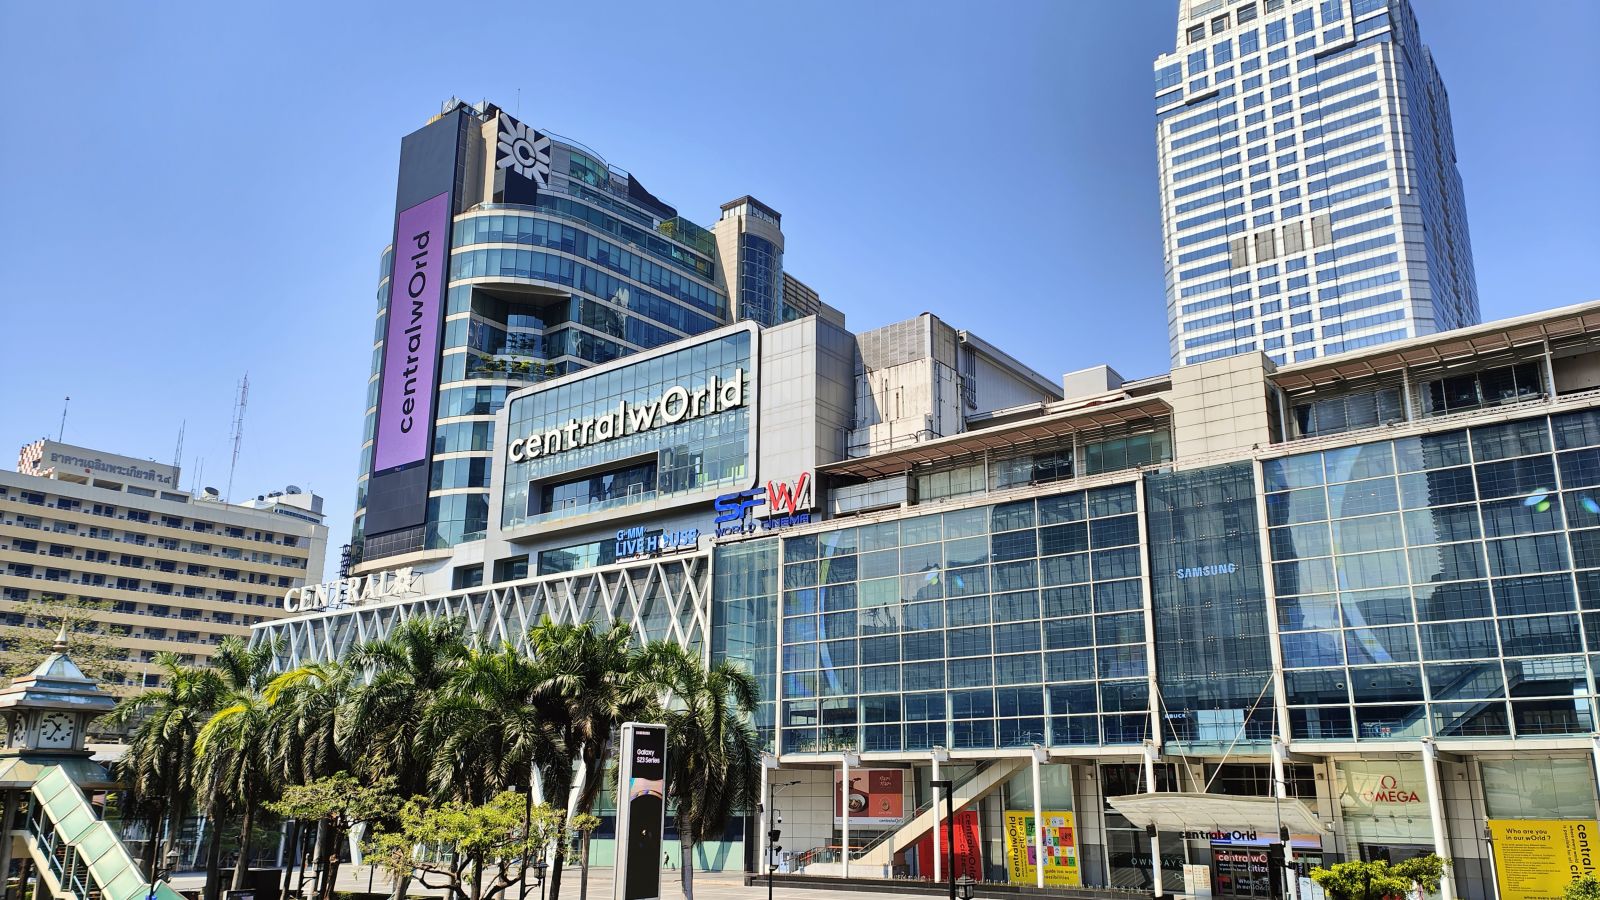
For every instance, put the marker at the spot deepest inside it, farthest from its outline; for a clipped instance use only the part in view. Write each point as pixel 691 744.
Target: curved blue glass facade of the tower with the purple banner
pixel 583 275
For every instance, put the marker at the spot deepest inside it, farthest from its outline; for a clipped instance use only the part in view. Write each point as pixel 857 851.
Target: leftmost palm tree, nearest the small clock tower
pixel 159 768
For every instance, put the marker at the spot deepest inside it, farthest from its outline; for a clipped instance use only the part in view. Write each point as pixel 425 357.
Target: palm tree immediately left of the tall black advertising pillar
pixel 593 683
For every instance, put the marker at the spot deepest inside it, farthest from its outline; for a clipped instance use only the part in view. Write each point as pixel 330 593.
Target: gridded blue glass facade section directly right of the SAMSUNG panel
pixel 1439 585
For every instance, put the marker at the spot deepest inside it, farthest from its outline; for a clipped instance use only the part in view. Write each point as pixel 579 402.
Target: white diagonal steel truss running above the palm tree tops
pixel 663 600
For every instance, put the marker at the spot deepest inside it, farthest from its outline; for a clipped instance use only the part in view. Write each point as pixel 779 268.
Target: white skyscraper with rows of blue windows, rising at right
pixel 1310 191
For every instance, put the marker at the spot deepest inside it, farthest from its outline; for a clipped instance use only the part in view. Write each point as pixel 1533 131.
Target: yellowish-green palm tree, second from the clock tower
pixel 233 750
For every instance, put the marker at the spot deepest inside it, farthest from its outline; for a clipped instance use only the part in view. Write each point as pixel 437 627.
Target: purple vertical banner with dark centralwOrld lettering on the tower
pixel 417 297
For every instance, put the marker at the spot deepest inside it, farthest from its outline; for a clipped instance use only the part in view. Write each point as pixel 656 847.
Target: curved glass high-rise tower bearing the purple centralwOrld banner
pixel 519 257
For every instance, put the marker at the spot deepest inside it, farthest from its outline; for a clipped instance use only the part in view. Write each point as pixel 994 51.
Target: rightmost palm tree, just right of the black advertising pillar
pixel 713 749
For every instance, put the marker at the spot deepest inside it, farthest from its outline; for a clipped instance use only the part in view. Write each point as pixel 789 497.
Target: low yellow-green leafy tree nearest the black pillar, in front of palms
pixel 452 845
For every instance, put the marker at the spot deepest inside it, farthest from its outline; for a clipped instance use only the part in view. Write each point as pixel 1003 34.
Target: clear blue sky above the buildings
pixel 190 193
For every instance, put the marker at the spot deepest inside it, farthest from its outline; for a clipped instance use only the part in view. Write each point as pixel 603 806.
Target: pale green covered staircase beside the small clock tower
pixel 76 853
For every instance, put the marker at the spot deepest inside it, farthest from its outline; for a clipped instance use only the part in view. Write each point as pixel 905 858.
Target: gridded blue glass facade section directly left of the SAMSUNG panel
pixel 990 627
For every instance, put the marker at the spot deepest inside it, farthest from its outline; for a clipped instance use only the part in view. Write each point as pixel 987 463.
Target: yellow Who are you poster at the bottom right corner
pixel 1535 859
